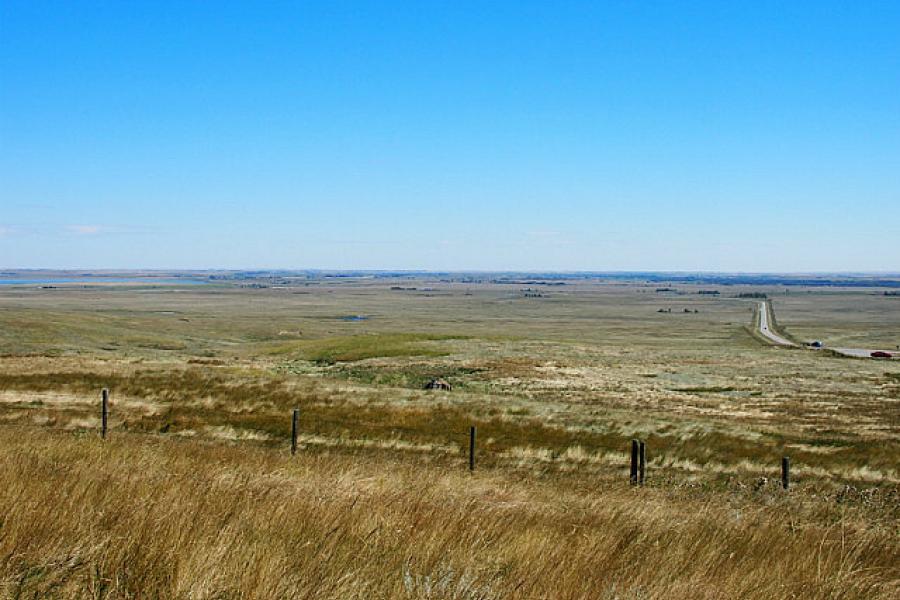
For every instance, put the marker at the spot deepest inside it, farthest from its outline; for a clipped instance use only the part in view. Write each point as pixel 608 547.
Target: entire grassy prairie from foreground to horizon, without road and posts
pixel 196 495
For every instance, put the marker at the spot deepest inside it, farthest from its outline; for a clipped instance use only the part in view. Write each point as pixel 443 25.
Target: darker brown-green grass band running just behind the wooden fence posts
pixel 241 404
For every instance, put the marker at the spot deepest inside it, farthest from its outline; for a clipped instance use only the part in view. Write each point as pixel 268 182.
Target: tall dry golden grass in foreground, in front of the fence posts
pixel 144 516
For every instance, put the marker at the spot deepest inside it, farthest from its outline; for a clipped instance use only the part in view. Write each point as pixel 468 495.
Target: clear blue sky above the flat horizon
pixel 751 136
